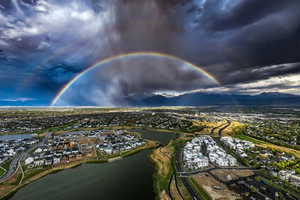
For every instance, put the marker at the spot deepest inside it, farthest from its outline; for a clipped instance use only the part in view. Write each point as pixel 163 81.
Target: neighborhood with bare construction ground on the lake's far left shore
pixel 74 146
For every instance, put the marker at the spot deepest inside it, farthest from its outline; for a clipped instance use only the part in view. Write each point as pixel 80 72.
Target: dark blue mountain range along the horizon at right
pixel 200 99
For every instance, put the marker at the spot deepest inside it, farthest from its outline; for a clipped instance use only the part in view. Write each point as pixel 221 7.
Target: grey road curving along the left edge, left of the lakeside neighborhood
pixel 15 163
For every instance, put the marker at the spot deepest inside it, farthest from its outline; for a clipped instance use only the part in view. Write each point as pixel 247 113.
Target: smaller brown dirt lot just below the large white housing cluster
pixel 228 175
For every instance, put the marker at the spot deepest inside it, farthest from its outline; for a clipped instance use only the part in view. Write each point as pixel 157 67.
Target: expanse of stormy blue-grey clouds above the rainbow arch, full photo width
pixel 232 39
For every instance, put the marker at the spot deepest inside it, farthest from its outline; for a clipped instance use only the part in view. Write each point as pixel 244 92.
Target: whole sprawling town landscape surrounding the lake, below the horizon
pixel 221 152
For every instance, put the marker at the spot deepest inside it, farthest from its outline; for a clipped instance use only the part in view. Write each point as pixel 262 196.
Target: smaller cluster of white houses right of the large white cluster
pixel 239 146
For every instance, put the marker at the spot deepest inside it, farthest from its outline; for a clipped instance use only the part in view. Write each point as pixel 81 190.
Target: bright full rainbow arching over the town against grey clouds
pixel 120 56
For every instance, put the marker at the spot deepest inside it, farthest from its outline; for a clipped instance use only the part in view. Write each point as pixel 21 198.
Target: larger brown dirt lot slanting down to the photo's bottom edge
pixel 215 189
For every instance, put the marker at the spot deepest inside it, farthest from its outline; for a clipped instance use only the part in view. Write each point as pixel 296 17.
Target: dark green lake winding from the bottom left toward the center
pixel 129 178
